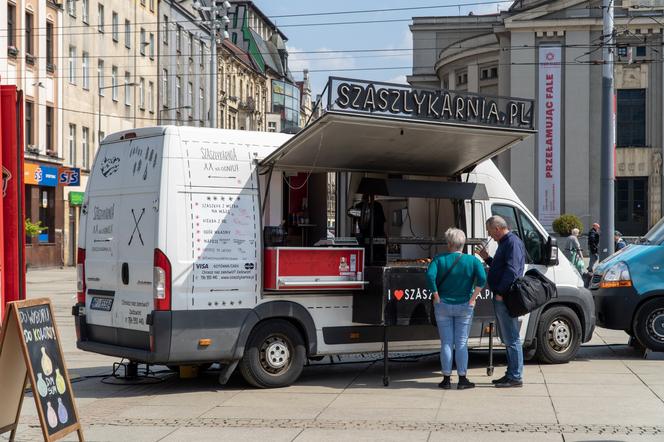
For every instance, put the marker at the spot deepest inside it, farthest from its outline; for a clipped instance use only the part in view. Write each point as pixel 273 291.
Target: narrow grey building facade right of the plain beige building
pixel 184 75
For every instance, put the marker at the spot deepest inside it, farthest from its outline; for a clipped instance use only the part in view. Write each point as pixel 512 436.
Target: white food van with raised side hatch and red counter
pixel 173 268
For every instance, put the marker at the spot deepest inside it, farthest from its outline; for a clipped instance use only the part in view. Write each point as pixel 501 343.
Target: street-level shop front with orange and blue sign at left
pixel 43 207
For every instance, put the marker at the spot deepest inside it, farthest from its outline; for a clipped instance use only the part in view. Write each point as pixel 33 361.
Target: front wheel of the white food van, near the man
pixel 558 335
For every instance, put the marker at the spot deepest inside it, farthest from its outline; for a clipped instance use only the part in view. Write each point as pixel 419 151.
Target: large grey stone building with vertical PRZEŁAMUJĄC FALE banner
pixel 550 51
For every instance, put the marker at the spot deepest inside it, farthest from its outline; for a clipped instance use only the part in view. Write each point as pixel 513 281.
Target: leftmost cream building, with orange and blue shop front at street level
pixel 33 39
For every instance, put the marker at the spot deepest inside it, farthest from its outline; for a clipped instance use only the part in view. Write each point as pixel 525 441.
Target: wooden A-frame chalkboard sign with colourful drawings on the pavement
pixel 30 352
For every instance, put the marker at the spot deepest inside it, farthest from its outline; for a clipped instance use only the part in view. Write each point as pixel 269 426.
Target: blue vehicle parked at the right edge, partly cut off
pixel 628 288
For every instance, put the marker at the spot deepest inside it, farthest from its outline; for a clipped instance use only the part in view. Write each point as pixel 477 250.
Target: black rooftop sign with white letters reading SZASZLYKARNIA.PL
pixel 395 100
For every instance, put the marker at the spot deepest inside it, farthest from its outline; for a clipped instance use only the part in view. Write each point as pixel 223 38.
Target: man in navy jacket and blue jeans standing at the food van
pixel 504 268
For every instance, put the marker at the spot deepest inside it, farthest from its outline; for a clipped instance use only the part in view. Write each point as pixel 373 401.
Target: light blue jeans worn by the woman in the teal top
pixel 453 322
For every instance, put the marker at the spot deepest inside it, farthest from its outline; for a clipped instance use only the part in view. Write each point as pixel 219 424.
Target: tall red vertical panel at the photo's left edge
pixel 13 240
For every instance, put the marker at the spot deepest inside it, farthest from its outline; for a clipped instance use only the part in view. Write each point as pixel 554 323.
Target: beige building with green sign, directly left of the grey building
pixel 109 68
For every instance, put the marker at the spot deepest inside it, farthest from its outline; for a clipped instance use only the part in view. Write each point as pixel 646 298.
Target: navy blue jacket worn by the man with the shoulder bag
pixel 507 264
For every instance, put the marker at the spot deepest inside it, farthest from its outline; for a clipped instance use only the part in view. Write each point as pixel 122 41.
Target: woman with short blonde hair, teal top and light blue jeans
pixel 455 280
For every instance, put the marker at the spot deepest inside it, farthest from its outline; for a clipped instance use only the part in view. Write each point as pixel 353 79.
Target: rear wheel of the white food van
pixel 274 356
